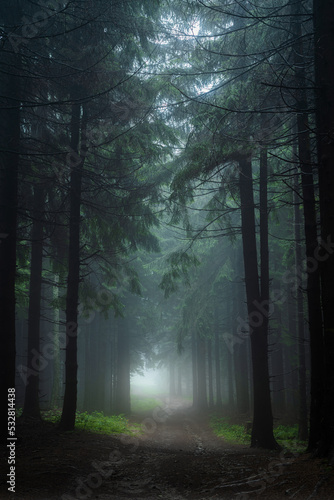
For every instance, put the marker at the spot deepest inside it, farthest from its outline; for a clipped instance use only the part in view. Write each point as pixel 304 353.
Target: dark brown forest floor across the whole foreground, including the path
pixel 177 457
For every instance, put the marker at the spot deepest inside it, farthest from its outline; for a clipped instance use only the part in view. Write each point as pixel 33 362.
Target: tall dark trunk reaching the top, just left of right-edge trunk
pixel 310 228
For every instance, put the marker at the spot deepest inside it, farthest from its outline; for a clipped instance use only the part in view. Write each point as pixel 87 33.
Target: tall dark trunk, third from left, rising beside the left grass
pixel 72 298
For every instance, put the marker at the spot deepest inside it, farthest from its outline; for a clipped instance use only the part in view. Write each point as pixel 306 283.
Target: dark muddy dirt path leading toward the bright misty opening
pixel 178 457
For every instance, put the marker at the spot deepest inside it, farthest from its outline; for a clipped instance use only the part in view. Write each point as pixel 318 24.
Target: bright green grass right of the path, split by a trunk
pixel 286 436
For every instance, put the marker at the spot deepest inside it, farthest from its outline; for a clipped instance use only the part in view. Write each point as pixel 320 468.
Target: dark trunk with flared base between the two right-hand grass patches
pixel 262 431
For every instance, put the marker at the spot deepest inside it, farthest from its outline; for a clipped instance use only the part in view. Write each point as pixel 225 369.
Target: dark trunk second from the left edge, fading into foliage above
pixel 31 401
